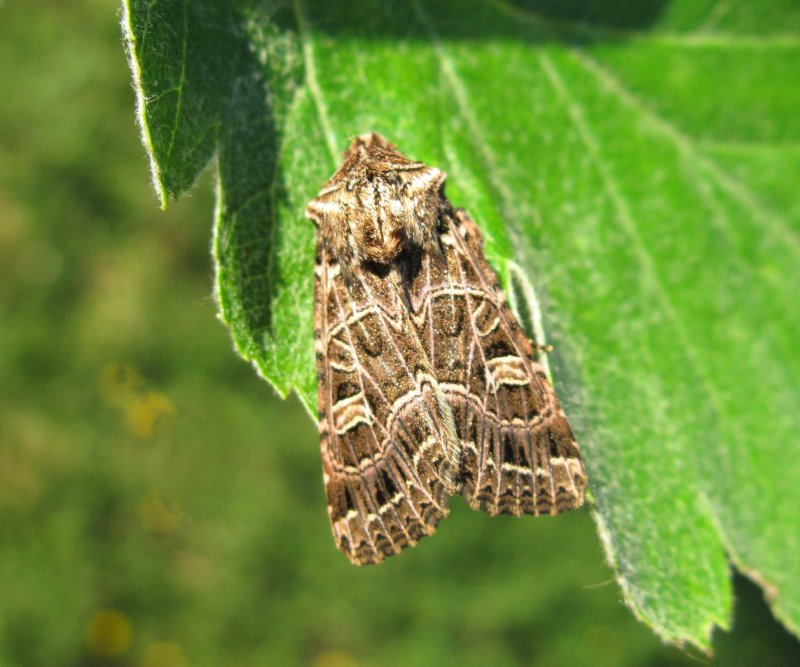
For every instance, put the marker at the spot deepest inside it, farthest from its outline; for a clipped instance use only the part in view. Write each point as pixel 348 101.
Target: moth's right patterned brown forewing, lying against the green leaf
pixel 518 452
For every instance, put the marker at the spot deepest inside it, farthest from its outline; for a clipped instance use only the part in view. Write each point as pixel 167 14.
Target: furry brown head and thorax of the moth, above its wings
pixel 378 204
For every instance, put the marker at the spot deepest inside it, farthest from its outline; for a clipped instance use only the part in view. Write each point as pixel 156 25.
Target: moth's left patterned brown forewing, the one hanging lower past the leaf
pixel 387 435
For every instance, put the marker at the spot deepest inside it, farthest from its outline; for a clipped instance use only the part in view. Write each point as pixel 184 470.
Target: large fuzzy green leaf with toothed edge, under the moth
pixel 640 163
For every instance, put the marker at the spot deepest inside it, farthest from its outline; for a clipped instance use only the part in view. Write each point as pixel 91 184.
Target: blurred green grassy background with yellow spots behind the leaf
pixel 159 506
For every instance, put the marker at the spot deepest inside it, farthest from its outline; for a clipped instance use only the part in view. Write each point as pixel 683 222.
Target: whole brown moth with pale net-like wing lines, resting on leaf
pixel 427 384
